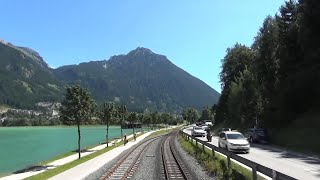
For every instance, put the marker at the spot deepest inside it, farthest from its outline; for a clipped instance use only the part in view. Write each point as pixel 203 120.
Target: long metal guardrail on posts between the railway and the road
pixel 275 175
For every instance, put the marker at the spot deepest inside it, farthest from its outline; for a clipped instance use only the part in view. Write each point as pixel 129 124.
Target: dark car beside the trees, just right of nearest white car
pixel 256 135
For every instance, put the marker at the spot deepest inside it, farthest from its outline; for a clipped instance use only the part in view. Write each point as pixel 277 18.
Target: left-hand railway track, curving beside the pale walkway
pixel 127 165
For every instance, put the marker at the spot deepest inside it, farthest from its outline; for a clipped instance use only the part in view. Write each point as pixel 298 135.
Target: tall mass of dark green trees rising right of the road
pixel 277 79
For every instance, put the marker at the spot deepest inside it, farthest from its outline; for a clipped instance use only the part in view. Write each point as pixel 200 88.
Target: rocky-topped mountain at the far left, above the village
pixel 25 78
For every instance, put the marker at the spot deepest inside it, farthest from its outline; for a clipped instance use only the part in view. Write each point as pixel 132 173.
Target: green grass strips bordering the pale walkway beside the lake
pixel 62 168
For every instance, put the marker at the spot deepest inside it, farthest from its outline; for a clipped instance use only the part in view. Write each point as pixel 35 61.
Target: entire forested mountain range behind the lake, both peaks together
pixel 140 79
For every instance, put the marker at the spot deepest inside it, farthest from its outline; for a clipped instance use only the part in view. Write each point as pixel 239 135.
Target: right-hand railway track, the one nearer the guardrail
pixel 173 166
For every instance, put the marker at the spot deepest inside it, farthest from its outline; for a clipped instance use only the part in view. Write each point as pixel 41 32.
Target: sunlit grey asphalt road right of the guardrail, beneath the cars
pixel 297 166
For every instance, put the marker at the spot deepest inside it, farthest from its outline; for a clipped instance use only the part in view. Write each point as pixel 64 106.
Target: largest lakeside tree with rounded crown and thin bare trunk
pixel 77 107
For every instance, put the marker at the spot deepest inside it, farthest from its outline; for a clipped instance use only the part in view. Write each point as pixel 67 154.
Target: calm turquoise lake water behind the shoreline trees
pixel 22 147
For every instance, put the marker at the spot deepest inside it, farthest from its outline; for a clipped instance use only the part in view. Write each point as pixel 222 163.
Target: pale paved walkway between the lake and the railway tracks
pixel 84 169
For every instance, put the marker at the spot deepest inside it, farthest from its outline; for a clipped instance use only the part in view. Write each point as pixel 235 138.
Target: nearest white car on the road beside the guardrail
pixel 233 141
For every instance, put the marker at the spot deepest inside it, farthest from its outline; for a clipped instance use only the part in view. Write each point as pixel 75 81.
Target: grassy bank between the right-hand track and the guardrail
pixel 216 164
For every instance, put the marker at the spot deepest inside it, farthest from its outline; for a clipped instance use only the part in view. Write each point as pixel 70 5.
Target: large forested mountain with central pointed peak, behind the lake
pixel 142 80
